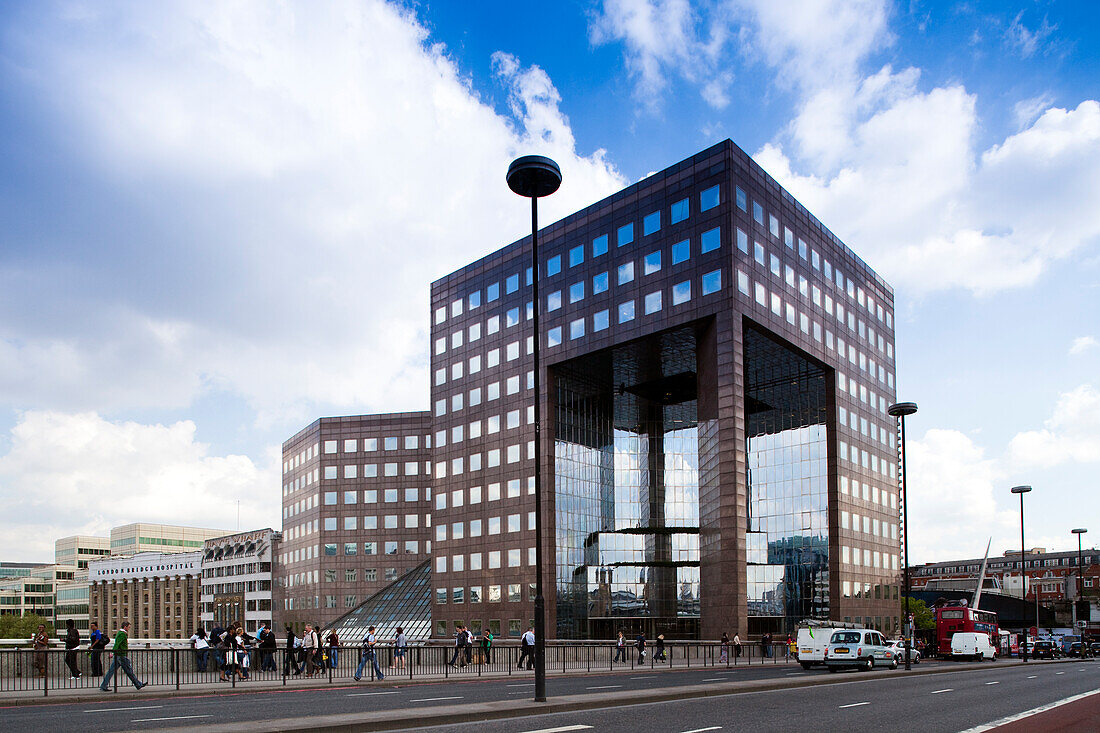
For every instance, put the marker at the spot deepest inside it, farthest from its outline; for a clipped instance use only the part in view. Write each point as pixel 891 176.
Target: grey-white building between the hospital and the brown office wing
pixel 238 573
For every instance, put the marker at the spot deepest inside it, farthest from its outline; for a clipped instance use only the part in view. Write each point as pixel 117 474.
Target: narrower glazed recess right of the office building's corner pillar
pixel 786 399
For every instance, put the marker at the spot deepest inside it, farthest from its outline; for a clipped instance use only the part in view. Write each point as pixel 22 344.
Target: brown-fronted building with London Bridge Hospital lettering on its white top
pixel 158 593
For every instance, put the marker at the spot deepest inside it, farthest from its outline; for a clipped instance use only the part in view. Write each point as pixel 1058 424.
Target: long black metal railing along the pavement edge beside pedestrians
pixel 26 670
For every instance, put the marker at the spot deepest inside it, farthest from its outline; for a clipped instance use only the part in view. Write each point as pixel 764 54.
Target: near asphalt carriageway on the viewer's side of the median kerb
pixel 933 704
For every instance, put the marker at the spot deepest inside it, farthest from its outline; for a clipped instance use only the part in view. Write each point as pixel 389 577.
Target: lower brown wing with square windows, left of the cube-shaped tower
pixel 357 505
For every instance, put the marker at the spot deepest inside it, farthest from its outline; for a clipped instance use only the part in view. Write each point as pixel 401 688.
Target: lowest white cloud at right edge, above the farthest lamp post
pixel 1071 435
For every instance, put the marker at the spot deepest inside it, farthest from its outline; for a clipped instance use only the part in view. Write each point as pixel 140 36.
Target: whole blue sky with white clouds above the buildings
pixel 219 223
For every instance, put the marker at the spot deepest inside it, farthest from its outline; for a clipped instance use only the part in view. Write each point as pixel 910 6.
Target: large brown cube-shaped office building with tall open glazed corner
pixel 718 453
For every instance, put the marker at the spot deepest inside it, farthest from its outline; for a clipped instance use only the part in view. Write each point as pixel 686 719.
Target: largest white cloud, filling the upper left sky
pixel 285 182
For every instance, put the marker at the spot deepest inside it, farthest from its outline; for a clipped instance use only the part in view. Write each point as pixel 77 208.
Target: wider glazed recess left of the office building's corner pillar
pixel 626 461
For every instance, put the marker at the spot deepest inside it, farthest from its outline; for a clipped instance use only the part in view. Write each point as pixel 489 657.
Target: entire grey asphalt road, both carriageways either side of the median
pixel 941 703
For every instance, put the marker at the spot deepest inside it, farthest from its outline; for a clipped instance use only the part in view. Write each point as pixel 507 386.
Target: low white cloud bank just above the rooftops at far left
pixel 79 474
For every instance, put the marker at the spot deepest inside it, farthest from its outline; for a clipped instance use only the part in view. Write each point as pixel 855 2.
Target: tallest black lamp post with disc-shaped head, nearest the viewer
pixel 534 177
